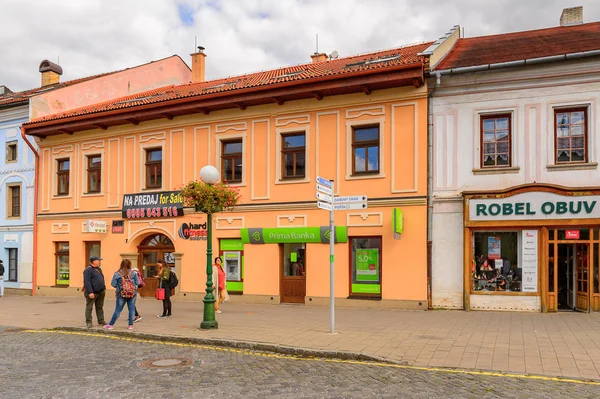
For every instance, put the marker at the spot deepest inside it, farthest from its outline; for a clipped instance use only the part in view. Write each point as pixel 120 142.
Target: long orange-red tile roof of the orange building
pixel 404 57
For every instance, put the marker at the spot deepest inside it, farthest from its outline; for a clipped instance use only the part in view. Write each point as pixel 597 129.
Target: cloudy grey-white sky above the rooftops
pixel 94 36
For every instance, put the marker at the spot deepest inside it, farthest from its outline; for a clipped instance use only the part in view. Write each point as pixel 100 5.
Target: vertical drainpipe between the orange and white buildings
pixel 430 190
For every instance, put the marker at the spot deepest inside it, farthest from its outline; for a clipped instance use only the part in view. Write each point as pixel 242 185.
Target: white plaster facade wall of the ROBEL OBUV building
pixel 530 95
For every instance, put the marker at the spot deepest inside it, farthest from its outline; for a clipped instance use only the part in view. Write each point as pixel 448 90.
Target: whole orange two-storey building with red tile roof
pixel 109 175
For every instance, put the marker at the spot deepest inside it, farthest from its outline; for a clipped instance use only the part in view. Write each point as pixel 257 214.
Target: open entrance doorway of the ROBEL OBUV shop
pixel 572 273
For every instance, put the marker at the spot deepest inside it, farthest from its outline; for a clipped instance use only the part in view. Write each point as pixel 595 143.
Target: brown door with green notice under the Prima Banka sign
pixel 293 273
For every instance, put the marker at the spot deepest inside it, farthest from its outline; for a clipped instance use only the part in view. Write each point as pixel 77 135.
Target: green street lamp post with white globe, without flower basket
pixel 209 175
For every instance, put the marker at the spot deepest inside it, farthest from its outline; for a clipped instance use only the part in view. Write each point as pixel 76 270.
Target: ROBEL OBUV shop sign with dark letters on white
pixel 535 206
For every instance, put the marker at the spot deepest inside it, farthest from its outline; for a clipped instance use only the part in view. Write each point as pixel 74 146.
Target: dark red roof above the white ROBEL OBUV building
pixel 484 50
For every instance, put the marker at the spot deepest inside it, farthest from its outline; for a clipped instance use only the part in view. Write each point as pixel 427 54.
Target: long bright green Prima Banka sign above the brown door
pixel 284 235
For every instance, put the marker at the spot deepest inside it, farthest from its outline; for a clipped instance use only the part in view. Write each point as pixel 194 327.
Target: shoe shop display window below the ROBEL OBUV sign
pixel 496 265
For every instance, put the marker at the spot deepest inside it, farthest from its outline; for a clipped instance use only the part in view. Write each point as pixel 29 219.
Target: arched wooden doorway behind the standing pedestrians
pixel 153 248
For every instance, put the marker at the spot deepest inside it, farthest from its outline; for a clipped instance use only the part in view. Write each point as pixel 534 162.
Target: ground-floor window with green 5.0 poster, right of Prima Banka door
pixel 365 267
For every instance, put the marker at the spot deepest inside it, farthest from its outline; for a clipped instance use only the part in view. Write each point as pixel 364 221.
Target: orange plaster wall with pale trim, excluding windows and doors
pixel 191 142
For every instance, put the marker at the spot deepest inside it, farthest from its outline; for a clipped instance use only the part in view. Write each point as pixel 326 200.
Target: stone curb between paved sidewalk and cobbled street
pixel 245 345
